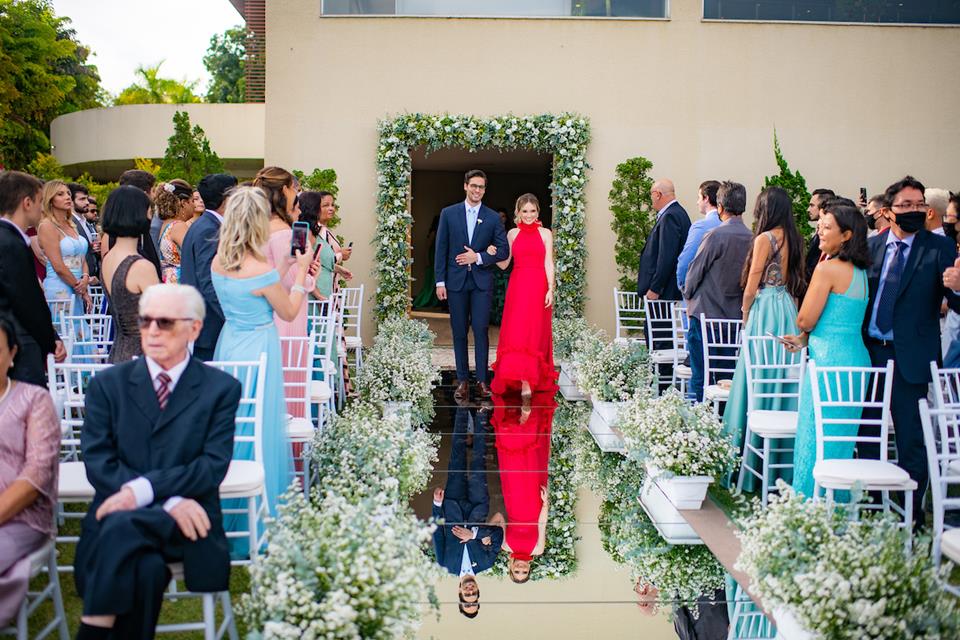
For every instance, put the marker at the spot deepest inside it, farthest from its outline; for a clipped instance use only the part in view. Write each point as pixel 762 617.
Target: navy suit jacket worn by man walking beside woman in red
pixel 452 237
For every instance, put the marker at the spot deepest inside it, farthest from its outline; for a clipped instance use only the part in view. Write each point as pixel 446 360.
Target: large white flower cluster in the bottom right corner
pixel 844 579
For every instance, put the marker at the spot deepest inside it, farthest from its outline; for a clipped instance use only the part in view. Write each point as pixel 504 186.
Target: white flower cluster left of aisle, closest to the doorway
pixel 398 367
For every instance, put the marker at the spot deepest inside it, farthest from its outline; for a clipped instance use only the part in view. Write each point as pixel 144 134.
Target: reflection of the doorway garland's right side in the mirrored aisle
pixel 559 557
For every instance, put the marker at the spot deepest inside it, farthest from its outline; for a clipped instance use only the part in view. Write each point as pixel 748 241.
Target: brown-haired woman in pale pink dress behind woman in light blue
pixel 280 187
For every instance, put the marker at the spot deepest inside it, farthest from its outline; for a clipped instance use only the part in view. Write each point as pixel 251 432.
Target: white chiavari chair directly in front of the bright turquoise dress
pixel 846 403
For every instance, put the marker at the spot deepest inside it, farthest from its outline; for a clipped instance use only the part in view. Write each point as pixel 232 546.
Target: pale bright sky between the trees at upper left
pixel 124 34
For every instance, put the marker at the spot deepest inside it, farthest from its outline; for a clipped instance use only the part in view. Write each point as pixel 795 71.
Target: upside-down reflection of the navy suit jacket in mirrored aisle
pixel 448 547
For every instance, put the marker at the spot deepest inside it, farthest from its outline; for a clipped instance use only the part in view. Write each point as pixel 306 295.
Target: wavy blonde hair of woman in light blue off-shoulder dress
pixel 246 227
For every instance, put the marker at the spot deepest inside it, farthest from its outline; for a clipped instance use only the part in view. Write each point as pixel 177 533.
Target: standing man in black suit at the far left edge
pixel 20 291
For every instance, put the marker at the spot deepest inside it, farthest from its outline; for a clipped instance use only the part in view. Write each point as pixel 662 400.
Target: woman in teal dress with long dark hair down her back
pixel 773 281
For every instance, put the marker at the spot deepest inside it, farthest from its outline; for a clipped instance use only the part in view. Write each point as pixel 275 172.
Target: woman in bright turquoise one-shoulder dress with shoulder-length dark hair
pixel 831 320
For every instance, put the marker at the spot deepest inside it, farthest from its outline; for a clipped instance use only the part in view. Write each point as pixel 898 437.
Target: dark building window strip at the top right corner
pixel 866 11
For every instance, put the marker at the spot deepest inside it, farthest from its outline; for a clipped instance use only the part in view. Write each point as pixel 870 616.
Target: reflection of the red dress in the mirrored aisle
pixel 523 452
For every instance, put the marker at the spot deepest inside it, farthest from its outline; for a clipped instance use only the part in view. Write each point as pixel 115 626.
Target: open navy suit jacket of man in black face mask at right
pixel 916 313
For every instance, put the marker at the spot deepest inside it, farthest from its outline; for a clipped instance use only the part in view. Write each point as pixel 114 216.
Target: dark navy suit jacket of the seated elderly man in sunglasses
pixel 183 450
